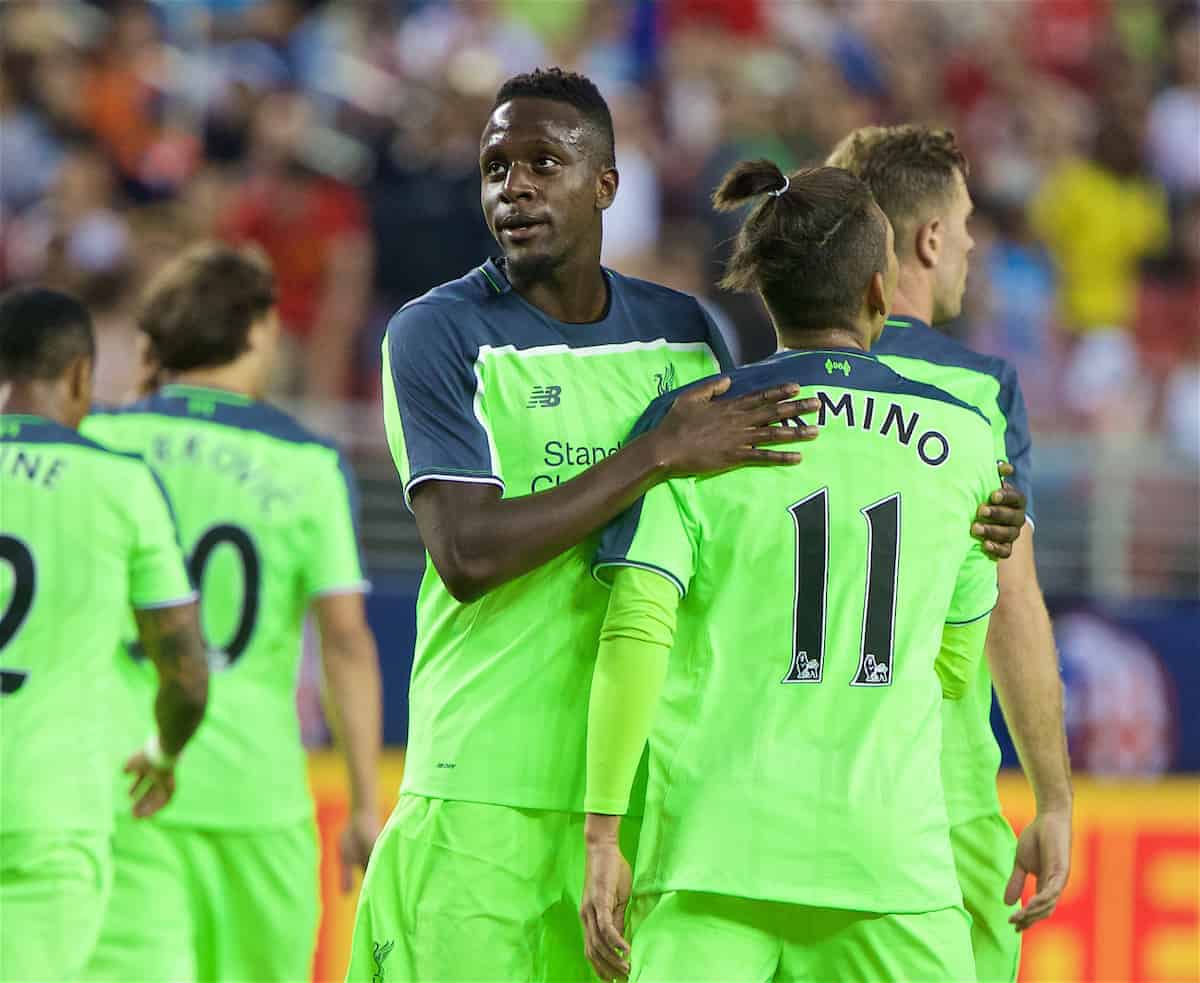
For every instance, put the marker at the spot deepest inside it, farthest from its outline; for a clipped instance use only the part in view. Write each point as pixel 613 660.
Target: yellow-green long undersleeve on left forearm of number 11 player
pixel 632 666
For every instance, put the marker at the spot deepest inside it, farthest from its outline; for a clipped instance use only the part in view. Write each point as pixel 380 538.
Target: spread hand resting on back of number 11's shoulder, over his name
pixel 705 435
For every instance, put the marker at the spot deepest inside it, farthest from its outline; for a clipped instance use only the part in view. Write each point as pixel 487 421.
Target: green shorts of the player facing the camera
pixel 467 891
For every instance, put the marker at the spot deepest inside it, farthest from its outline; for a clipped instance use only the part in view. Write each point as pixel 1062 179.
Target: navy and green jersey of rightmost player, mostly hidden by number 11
pixel 971 756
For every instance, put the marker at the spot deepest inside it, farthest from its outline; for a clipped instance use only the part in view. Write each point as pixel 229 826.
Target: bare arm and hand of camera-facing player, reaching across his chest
pixel 479 541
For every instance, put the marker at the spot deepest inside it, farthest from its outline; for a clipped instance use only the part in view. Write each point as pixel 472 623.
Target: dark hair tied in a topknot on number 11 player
pixel 811 250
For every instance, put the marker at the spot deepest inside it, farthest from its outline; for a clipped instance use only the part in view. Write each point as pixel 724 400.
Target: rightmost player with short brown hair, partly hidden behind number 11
pixel 919 176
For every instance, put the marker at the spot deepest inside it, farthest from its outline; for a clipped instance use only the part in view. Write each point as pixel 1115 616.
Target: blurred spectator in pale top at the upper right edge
pixel 1175 116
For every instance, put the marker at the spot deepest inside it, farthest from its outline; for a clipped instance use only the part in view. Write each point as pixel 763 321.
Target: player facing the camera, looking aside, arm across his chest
pixel 508 397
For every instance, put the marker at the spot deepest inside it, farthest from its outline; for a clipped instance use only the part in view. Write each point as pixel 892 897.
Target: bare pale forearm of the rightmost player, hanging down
pixel 1025 672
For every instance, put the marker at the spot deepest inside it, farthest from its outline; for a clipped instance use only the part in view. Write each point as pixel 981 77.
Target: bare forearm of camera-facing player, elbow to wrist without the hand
pixel 505 538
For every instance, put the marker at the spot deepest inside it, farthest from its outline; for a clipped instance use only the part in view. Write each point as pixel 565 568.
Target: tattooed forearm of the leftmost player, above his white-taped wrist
pixel 171 639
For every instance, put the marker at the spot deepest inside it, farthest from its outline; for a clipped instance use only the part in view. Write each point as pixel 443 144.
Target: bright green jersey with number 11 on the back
pixel 795 753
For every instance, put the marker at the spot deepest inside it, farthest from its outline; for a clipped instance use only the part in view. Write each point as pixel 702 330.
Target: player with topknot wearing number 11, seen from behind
pixel 795 825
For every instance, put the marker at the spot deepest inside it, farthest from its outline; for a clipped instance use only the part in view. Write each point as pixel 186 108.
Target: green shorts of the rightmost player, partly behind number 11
pixel 983 856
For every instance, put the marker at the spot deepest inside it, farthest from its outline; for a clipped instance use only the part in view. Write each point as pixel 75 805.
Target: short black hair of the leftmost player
pixel 43 333
